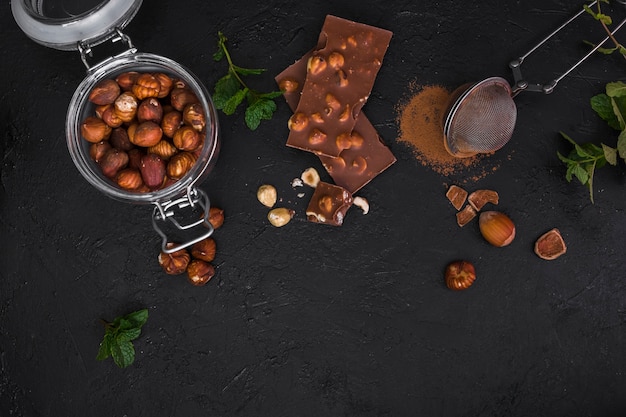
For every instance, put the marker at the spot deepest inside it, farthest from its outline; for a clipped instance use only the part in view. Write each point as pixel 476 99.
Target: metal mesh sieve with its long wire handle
pixel 481 117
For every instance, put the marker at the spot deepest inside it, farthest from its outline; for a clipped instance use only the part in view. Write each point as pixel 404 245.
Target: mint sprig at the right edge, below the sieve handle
pixel 585 158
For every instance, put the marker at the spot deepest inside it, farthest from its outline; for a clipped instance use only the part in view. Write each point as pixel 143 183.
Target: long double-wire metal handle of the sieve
pixel 515 65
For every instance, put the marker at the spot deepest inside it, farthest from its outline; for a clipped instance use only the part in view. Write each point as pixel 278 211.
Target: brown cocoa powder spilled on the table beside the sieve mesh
pixel 420 121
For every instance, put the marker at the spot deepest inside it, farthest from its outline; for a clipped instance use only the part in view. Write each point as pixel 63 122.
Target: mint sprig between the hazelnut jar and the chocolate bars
pixel 231 90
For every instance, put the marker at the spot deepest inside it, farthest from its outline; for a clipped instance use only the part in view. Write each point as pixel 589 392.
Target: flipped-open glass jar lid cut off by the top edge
pixel 55 25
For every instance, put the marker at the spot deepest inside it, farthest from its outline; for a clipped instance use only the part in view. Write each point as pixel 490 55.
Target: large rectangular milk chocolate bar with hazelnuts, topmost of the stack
pixel 338 82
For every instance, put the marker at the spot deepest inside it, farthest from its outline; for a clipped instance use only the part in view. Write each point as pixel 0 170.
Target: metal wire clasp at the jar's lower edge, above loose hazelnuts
pixel 166 212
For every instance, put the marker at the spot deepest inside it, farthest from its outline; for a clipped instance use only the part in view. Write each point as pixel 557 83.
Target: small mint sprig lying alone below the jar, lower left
pixel 118 337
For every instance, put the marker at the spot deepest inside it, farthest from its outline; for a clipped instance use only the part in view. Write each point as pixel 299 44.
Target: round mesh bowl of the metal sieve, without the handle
pixel 481 120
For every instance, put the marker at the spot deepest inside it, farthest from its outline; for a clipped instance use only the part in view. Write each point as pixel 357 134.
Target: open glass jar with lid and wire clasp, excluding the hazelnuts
pixel 51 24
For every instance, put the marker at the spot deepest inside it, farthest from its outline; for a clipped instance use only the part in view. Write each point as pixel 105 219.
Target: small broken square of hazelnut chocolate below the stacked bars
pixel 329 204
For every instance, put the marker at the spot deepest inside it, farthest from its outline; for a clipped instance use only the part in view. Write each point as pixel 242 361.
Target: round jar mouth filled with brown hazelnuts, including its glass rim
pixel 132 96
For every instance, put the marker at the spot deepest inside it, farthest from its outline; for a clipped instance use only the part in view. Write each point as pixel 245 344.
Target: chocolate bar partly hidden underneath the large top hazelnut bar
pixel 354 167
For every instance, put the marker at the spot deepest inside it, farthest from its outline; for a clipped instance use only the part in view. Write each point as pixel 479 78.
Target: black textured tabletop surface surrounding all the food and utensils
pixel 311 320
